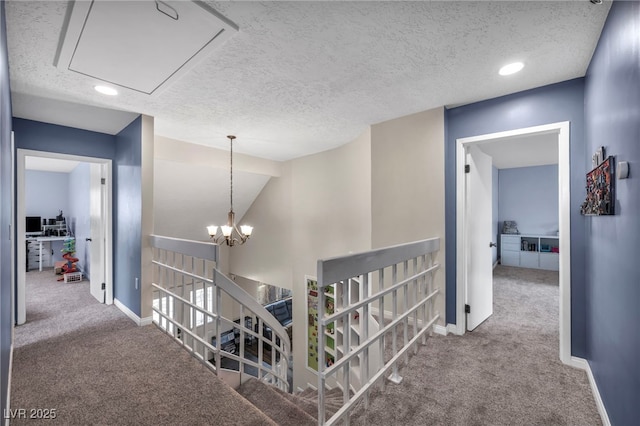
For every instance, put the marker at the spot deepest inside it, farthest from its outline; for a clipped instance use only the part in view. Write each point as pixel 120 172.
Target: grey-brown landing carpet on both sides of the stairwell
pixel 94 366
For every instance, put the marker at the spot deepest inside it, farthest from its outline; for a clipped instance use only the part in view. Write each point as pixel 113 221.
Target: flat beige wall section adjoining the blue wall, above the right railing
pixel 407 184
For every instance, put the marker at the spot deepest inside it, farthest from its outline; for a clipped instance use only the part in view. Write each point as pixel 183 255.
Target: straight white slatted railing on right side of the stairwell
pixel 395 285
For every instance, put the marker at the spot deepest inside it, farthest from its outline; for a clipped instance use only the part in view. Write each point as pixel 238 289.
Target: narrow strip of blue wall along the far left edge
pixel 6 320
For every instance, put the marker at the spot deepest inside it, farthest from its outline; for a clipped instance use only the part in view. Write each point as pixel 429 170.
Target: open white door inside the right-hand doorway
pixel 479 282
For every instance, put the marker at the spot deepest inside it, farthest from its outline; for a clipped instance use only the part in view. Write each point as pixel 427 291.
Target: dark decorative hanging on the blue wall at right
pixel 601 198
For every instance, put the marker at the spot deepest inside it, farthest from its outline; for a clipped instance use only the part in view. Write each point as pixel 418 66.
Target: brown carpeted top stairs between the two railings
pixel 287 409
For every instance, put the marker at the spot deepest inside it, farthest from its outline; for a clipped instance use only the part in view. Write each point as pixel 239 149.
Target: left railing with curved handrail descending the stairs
pixel 165 318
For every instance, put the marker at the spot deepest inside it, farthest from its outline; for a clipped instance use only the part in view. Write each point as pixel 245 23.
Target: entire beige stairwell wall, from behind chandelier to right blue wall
pixel 385 187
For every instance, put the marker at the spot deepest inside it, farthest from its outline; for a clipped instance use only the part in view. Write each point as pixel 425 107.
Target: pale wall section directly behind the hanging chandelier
pixel 191 189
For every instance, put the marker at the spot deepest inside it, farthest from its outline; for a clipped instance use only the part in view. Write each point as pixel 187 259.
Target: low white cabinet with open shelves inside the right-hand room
pixel 530 251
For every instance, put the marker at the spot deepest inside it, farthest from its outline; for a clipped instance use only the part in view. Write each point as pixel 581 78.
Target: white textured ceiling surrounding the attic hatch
pixel 303 77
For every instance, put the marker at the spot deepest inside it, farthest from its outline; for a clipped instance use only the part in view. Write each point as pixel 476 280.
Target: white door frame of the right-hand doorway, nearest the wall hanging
pixel 564 224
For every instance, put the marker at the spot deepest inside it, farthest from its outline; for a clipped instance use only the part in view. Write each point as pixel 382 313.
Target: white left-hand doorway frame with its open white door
pixel 100 237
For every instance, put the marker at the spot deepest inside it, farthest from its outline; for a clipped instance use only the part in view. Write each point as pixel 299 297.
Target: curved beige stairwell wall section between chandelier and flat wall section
pixel 319 207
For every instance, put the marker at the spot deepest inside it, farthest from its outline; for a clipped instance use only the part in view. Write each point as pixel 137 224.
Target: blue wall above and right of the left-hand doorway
pixel 124 149
